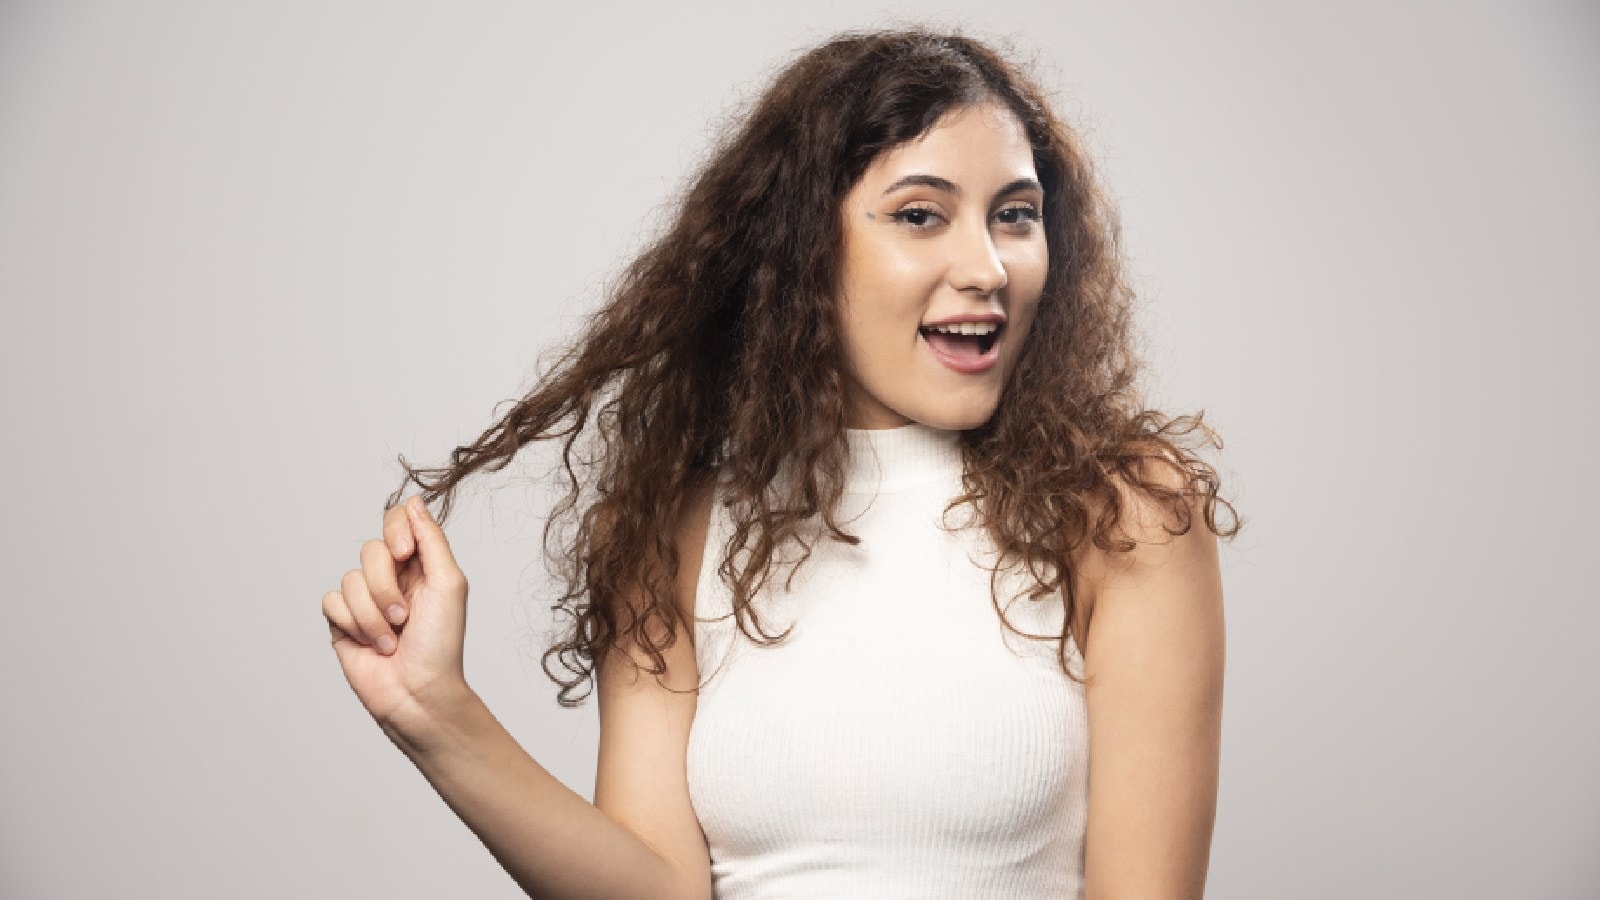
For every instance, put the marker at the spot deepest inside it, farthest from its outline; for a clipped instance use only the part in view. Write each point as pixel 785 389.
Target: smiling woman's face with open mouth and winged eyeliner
pixel 943 265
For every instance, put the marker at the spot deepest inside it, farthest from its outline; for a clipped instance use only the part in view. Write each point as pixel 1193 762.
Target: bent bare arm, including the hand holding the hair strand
pixel 550 840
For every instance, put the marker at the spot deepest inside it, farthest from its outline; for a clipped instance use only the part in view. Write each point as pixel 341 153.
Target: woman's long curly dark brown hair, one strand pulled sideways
pixel 718 358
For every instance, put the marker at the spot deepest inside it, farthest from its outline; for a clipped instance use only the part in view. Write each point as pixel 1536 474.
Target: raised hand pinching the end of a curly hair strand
pixel 410 584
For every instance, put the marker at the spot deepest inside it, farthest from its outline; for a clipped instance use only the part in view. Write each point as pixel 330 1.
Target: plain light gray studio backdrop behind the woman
pixel 252 252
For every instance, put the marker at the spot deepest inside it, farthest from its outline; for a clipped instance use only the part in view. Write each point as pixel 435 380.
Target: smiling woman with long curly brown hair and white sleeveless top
pixel 873 545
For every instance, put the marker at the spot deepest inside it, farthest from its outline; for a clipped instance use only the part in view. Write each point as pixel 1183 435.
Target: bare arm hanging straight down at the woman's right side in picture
pixel 1154 664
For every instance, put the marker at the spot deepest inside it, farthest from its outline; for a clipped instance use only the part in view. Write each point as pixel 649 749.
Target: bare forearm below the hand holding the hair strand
pixel 550 840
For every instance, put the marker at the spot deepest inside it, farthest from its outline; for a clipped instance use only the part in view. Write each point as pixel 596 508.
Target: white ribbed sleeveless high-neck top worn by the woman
pixel 900 742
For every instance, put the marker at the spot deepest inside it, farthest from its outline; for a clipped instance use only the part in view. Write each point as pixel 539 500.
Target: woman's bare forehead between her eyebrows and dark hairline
pixel 983 142
